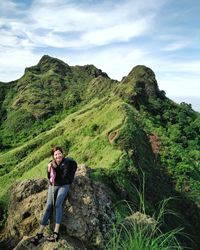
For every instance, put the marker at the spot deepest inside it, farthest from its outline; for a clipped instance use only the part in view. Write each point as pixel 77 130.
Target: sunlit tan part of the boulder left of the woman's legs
pixel 27 205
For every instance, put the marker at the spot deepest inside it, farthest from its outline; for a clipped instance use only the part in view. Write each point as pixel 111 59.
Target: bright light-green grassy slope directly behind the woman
pixel 88 145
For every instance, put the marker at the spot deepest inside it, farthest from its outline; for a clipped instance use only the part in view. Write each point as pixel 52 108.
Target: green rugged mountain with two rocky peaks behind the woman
pixel 128 132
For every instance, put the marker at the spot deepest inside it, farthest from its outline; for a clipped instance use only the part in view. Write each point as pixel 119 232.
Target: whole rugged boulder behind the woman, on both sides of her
pixel 87 213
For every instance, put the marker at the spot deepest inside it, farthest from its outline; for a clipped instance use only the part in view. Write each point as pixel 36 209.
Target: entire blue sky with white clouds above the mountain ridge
pixel 114 35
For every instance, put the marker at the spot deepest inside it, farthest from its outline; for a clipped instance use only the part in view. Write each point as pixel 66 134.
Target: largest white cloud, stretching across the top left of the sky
pixel 62 24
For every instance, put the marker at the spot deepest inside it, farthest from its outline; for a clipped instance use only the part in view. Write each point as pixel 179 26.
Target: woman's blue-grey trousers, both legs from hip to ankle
pixel 60 192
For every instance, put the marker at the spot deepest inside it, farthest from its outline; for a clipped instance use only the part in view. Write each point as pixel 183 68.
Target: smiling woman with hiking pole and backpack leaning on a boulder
pixel 61 173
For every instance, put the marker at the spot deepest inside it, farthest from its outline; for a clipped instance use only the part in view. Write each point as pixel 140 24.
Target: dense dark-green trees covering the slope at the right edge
pixel 178 129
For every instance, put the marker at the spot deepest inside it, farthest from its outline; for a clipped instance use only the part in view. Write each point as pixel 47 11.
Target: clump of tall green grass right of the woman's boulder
pixel 143 232
